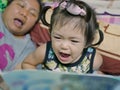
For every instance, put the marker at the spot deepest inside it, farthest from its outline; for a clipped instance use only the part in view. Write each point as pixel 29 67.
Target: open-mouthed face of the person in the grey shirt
pixel 20 16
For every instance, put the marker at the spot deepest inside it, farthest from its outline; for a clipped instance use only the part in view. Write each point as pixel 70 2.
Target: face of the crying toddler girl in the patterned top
pixel 67 43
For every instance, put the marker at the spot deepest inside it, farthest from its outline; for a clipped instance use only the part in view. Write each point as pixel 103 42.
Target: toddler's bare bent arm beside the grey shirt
pixel 34 58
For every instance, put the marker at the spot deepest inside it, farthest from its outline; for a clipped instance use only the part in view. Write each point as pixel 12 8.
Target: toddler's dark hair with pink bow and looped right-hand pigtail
pixel 84 19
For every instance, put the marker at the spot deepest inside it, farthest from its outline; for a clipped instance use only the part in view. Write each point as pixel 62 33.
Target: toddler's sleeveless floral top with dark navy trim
pixel 83 65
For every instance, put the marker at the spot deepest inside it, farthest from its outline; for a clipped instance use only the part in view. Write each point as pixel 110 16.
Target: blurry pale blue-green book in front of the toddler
pixel 50 80
